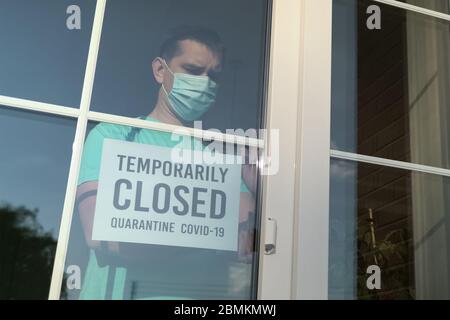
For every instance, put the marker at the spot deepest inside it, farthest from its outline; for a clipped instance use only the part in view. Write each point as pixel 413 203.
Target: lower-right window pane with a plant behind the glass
pixel 392 218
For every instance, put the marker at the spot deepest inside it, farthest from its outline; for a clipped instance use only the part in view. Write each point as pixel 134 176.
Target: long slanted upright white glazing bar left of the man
pixel 69 202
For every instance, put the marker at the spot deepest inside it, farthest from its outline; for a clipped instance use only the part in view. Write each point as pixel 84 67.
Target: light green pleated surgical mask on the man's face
pixel 191 96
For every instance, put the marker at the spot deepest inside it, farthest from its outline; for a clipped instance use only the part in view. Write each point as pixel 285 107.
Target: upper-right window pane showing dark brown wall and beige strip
pixel 390 94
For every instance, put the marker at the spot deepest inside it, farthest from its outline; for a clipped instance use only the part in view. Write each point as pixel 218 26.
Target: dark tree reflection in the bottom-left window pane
pixel 26 255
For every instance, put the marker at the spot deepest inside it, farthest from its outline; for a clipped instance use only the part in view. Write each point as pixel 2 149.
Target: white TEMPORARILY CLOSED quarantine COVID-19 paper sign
pixel 145 197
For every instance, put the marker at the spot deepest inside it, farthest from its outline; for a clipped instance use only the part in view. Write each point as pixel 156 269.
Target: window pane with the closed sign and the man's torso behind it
pixel 148 225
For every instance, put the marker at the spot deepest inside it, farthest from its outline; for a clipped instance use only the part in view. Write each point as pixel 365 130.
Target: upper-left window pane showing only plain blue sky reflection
pixel 41 59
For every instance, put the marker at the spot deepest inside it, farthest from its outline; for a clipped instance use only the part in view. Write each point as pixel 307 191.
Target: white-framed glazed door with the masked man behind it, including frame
pixel 186 148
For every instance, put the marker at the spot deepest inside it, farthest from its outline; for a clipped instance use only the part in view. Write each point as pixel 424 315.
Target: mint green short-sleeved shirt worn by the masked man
pixel 159 278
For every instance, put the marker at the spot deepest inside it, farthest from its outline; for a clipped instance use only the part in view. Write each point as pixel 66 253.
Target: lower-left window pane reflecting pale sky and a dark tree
pixel 34 165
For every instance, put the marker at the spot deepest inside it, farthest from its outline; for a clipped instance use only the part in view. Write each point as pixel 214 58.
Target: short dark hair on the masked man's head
pixel 171 46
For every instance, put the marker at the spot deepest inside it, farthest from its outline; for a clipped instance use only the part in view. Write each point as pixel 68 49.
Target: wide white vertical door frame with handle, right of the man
pixel 298 196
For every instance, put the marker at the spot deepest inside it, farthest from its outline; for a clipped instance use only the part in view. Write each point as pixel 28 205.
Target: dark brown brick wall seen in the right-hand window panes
pixel 383 131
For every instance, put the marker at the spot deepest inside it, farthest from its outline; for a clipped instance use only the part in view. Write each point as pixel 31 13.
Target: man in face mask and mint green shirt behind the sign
pixel 187 70
